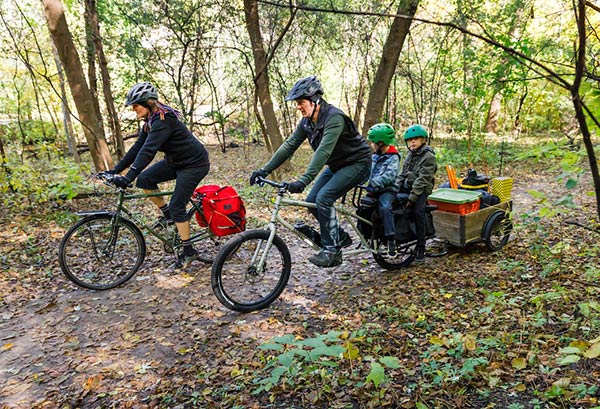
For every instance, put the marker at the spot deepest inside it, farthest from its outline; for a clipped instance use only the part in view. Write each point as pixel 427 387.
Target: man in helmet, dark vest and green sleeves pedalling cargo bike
pixel 338 147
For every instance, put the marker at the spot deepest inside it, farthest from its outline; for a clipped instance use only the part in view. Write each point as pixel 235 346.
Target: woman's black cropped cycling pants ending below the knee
pixel 186 180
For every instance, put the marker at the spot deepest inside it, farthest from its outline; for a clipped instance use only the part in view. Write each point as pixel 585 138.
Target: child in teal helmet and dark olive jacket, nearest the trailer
pixel 417 179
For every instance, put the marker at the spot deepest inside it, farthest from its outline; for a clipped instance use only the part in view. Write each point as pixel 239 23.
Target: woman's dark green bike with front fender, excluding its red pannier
pixel 106 248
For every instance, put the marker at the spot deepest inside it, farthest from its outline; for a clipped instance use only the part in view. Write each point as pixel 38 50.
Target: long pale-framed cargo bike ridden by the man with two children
pixel 252 269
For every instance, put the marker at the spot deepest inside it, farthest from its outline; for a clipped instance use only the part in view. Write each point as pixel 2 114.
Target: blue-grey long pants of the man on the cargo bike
pixel 329 187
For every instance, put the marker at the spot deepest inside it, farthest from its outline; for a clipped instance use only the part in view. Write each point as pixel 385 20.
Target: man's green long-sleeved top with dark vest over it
pixel 334 139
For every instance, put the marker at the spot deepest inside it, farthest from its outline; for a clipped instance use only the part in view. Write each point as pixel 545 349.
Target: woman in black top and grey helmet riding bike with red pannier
pixel 186 161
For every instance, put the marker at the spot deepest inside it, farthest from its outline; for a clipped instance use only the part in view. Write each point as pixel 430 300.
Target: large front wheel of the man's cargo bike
pixel 237 279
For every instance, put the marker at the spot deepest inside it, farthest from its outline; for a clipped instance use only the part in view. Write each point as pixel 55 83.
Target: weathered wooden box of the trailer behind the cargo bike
pixel 458 229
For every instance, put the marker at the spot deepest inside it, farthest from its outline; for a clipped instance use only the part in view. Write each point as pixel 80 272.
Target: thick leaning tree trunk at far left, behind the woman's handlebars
pixel 62 39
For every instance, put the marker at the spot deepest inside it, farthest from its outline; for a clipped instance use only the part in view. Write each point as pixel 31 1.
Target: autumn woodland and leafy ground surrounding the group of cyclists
pixel 507 87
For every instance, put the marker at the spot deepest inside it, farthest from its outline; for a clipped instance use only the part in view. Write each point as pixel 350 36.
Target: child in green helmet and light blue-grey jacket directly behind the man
pixel 382 182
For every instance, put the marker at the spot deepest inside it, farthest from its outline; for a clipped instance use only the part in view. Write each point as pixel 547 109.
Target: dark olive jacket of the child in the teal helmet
pixel 418 173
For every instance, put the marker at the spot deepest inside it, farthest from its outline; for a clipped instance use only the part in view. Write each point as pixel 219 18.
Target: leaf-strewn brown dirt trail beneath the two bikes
pixel 61 345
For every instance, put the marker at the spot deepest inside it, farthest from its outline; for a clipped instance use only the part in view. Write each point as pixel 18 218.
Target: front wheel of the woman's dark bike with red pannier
pixel 98 254
